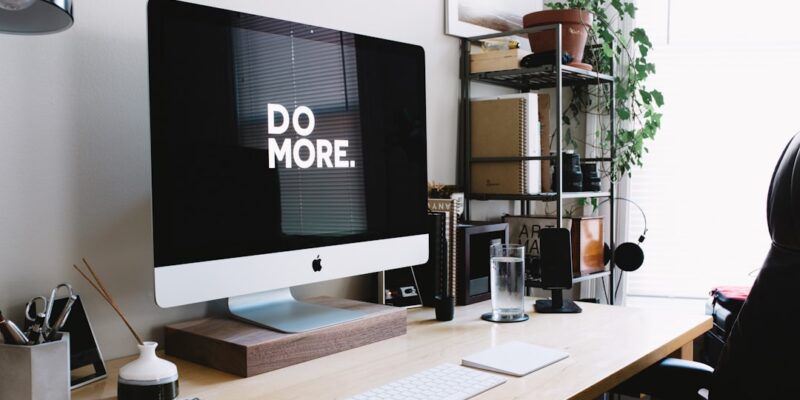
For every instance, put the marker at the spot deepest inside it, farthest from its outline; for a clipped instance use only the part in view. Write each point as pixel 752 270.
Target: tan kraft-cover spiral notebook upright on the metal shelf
pixel 505 126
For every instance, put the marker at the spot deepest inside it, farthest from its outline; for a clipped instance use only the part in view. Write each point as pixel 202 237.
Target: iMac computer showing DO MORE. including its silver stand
pixel 282 154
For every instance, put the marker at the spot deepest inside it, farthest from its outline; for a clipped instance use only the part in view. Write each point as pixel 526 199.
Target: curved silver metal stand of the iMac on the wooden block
pixel 279 310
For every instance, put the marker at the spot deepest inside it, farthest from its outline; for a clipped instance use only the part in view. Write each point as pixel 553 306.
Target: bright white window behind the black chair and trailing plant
pixel 727 71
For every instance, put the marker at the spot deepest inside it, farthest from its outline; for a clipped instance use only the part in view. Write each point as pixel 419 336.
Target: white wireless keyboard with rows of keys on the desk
pixel 444 382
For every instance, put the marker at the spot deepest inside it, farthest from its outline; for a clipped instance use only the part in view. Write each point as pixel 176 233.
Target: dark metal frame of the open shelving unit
pixel 556 76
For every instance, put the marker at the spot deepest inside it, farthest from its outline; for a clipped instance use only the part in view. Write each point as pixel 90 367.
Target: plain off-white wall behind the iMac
pixel 74 155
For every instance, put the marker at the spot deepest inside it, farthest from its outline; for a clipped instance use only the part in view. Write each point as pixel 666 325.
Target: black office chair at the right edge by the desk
pixel 762 354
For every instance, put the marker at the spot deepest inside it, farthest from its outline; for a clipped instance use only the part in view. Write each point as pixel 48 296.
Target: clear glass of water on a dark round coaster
pixel 507 281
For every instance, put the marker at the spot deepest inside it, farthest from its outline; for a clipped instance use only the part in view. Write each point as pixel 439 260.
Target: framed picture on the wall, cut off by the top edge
pixel 466 18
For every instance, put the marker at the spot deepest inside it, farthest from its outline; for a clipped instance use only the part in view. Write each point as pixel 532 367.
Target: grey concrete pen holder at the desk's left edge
pixel 35 372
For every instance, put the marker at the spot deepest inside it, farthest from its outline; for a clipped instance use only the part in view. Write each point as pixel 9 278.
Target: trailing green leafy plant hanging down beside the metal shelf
pixel 613 51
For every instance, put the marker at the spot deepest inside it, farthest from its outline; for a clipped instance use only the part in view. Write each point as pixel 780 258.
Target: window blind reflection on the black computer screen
pixel 313 67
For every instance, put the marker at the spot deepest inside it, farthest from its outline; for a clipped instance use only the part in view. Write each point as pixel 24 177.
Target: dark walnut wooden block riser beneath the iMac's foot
pixel 243 349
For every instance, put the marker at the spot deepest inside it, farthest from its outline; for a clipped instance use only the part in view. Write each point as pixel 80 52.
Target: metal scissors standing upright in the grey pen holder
pixel 40 328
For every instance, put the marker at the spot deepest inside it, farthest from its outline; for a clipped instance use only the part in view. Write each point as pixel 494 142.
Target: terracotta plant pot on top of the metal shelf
pixel 574 31
